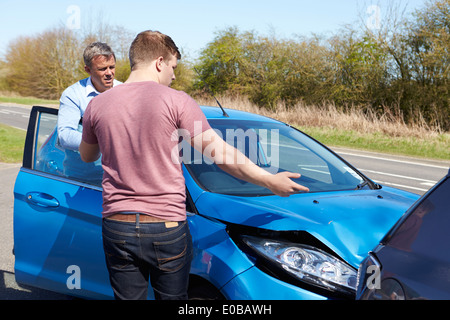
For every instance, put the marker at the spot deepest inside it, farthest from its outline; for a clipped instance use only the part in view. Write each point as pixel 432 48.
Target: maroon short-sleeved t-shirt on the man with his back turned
pixel 136 126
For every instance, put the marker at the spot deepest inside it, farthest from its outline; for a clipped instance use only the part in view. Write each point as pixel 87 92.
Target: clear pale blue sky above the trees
pixel 191 23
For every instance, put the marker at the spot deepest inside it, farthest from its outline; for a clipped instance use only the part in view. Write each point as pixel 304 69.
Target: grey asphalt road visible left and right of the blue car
pixel 411 174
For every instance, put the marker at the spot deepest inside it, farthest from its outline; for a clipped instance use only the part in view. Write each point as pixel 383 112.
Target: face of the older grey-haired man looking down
pixel 102 71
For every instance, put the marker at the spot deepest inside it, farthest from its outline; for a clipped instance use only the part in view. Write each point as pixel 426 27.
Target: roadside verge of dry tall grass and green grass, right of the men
pixel 356 128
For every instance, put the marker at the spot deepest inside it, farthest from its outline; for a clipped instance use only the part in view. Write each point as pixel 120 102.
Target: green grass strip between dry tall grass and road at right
pixel 437 148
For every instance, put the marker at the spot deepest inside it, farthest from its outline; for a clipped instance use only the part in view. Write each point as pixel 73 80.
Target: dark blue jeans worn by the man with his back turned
pixel 136 251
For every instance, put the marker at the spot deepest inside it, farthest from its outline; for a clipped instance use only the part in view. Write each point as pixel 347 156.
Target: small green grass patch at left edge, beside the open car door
pixel 12 141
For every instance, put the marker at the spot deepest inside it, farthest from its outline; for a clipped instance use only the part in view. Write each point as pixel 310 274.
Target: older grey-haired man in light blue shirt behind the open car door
pixel 100 63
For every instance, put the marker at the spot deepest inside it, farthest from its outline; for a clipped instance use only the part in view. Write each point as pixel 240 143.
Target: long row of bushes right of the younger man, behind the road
pixel 404 67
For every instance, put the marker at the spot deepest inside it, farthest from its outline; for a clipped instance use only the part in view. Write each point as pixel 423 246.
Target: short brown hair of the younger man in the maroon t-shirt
pixel 150 45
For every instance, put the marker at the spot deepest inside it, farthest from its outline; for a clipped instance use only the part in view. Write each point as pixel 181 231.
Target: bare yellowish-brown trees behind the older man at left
pixel 44 65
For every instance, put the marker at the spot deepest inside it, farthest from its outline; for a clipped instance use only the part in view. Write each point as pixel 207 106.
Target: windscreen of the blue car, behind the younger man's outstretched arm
pixel 275 147
